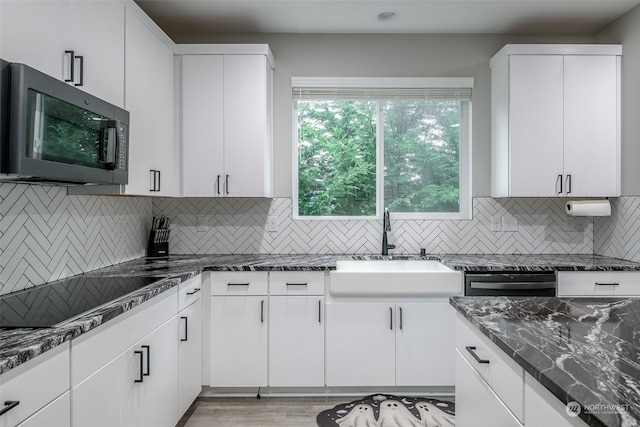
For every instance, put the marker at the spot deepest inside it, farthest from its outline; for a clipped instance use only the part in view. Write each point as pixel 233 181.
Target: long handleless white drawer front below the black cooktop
pixel 98 347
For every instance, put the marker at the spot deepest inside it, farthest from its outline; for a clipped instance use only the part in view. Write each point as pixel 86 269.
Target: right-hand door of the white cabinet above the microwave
pixel 98 36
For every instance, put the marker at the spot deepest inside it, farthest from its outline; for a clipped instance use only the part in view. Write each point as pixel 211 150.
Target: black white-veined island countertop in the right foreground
pixel 585 350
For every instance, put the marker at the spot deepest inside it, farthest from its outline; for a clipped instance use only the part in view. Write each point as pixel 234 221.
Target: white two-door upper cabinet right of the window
pixel 555 121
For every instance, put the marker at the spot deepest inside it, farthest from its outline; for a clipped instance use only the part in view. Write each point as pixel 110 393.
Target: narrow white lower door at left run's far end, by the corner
pixel 189 355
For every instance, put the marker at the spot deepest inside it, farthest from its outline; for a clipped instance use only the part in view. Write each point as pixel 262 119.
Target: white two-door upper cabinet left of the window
pixel 226 121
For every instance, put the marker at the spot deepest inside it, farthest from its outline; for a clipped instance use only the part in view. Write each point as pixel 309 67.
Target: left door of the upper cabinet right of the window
pixel 535 124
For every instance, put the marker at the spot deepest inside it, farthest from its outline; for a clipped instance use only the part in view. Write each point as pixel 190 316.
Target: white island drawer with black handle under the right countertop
pixel 502 374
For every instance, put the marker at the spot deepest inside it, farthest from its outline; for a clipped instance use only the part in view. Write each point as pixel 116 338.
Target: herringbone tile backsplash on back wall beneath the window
pixel 239 226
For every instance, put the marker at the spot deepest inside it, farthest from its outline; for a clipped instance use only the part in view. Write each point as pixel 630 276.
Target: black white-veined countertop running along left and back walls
pixel 19 345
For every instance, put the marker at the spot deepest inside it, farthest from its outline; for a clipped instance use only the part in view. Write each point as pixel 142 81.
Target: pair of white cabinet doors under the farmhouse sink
pixel 390 344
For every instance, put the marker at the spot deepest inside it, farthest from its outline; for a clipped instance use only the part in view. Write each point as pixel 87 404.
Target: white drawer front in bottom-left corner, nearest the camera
pixel 35 384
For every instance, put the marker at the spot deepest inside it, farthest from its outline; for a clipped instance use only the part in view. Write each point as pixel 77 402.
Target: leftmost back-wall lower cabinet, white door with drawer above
pixel 238 329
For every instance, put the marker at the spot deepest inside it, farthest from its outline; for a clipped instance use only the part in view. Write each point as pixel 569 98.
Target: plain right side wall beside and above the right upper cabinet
pixel 626 31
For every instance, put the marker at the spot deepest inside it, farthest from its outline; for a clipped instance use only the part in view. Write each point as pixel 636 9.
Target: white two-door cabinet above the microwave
pixel 94 31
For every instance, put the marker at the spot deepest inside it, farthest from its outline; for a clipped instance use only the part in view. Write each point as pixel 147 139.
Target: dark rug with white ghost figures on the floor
pixel 386 410
